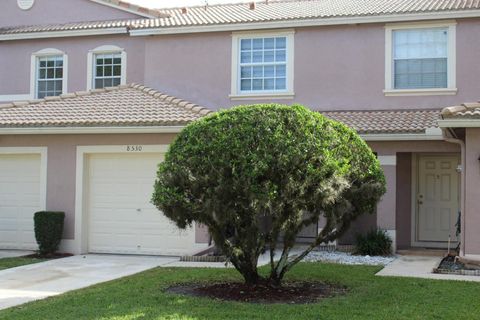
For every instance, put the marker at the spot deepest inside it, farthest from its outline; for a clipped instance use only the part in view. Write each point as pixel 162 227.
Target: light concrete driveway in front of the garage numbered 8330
pixel 37 281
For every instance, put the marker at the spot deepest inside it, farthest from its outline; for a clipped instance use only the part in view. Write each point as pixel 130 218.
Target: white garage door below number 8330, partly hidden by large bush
pixel 121 217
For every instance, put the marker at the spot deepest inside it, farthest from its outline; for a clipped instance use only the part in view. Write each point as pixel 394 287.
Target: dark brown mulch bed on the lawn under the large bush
pixel 290 293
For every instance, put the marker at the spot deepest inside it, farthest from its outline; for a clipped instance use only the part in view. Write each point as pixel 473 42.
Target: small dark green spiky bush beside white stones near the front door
pixel 374 243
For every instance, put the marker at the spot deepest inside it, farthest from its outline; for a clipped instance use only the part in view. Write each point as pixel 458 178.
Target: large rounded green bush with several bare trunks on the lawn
pixel 251 173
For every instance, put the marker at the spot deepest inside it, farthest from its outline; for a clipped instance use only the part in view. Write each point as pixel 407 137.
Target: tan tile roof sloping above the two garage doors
pixel 128 105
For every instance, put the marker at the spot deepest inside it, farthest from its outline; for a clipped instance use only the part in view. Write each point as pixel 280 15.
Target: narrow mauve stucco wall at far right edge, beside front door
pixel 471 215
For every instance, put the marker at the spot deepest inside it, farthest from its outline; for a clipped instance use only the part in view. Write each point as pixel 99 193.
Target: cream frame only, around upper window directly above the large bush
pixel 288 93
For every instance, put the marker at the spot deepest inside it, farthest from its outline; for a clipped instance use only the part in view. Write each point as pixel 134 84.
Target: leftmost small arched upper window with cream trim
pixel 49 73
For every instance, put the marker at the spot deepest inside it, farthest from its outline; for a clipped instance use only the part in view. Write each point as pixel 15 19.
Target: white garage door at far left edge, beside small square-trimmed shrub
pixel 20 198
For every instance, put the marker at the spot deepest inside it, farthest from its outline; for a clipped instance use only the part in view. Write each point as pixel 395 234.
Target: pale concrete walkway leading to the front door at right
pixel 420 267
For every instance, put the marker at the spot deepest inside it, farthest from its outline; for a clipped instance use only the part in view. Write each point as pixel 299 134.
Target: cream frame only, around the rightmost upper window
pixel 451 59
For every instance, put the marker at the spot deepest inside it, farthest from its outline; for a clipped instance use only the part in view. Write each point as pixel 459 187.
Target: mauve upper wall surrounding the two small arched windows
pixel 15 60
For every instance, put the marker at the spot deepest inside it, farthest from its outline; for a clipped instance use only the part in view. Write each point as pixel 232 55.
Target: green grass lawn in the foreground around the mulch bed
pixel 141 297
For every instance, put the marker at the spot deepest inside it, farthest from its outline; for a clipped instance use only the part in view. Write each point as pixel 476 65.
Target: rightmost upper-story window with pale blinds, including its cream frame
pixel 420 59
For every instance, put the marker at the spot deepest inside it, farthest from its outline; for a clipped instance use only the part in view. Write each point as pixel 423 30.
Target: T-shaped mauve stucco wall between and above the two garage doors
pixel 61 168
